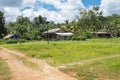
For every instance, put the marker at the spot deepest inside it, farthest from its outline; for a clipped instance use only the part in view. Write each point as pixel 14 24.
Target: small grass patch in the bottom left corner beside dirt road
pixel 4 71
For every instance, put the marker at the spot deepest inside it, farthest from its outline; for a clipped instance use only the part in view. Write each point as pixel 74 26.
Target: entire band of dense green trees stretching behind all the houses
pixel 91 20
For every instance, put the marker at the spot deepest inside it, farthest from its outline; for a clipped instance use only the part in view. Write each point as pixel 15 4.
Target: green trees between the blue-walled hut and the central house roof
pixel 30 30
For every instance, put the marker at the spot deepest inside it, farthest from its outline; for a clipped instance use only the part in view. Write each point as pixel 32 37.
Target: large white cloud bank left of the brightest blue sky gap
pixel 67 10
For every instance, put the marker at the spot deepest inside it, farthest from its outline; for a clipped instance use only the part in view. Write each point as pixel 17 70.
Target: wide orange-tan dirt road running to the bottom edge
pixel 22 72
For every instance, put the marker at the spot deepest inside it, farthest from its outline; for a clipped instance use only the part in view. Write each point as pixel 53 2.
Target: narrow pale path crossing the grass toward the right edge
pixel 88 61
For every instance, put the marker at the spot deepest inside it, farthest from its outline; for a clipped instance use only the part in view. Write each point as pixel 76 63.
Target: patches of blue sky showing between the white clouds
pixel 38 4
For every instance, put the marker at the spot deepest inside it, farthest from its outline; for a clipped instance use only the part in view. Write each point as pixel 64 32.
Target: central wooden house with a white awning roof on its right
pixel 57 34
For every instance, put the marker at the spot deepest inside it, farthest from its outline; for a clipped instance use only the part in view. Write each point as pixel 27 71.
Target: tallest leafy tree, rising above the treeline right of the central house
pixel 90 20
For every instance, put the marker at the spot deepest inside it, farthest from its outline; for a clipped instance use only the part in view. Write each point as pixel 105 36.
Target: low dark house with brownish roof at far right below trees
pixel 102 34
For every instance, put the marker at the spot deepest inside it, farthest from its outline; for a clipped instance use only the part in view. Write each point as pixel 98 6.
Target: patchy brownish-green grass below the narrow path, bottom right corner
pixel 99 70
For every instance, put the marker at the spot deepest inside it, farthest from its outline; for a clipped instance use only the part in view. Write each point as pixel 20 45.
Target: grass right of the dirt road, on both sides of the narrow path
pixel 62 52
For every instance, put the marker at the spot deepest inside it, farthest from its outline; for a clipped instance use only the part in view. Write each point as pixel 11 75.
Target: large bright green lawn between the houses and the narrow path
pixel 61 52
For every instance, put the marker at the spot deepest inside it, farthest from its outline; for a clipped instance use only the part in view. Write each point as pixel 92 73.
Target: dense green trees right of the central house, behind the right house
pixel 93 21
